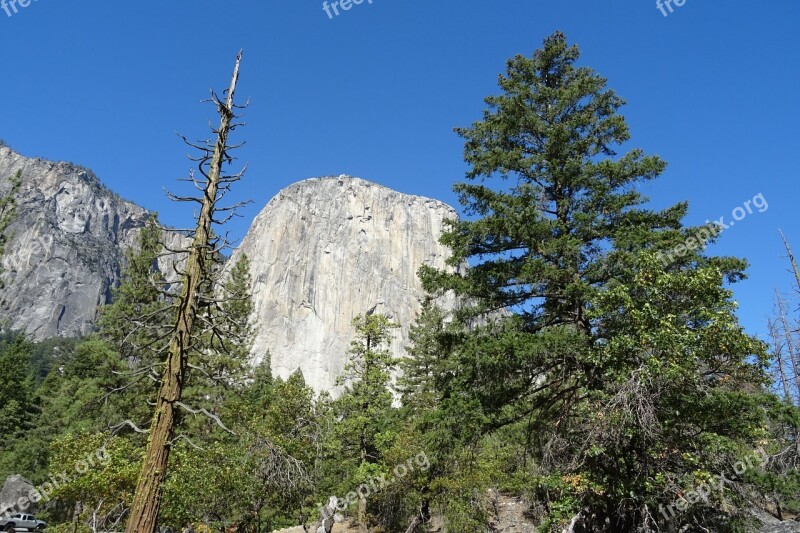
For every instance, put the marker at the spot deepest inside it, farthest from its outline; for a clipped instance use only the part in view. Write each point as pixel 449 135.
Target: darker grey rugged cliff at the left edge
pixel 65 248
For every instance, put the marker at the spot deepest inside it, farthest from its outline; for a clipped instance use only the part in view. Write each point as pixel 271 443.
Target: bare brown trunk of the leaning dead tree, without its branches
pixel 147 499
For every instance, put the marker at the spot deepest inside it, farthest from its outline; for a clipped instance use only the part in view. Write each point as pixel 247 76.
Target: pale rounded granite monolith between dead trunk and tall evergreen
pixel 327 249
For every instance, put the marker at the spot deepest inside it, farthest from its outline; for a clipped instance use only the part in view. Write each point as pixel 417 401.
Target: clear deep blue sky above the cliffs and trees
pixel 375 92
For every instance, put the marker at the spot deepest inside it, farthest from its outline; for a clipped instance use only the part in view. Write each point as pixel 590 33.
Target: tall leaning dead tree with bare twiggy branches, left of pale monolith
pixel 196 295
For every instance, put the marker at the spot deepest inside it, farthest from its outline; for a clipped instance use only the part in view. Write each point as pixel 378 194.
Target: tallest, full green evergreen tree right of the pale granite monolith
pixel 578 304
